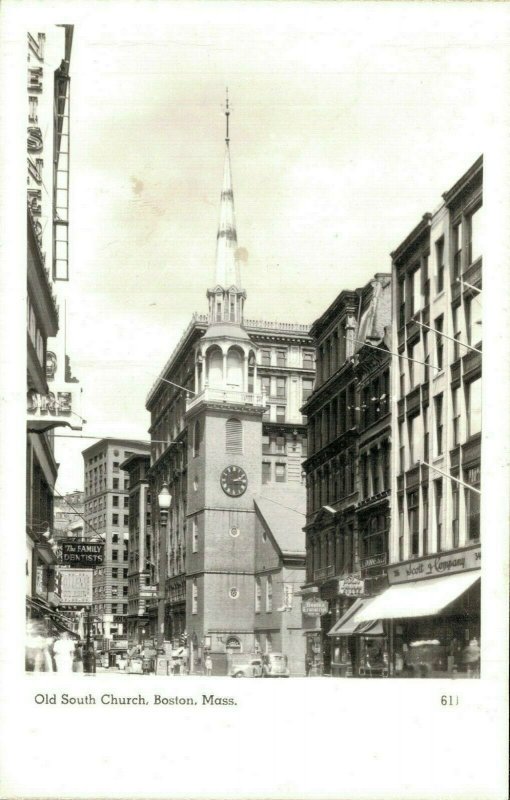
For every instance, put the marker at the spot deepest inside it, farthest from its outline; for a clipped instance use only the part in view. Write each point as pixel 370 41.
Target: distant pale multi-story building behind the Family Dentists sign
pixel 107 518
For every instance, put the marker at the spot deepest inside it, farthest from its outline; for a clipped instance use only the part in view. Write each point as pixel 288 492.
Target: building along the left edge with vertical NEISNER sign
pixel 52 396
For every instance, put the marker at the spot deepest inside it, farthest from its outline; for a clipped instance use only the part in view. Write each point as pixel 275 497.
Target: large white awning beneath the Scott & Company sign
pixel 418 598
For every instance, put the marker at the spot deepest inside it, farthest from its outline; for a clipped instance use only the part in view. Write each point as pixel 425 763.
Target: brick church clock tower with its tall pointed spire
pixel 224 421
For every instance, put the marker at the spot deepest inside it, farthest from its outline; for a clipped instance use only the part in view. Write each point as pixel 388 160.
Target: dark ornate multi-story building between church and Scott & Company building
pixel 347 469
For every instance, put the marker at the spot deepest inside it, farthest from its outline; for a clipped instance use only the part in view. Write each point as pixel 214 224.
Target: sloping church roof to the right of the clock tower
pixel 282 509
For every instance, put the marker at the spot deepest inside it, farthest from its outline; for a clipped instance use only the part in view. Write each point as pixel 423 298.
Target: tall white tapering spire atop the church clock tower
pixel 227 266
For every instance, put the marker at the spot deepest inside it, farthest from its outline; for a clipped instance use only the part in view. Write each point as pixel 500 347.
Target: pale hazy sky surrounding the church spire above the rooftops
pixel 348 122
